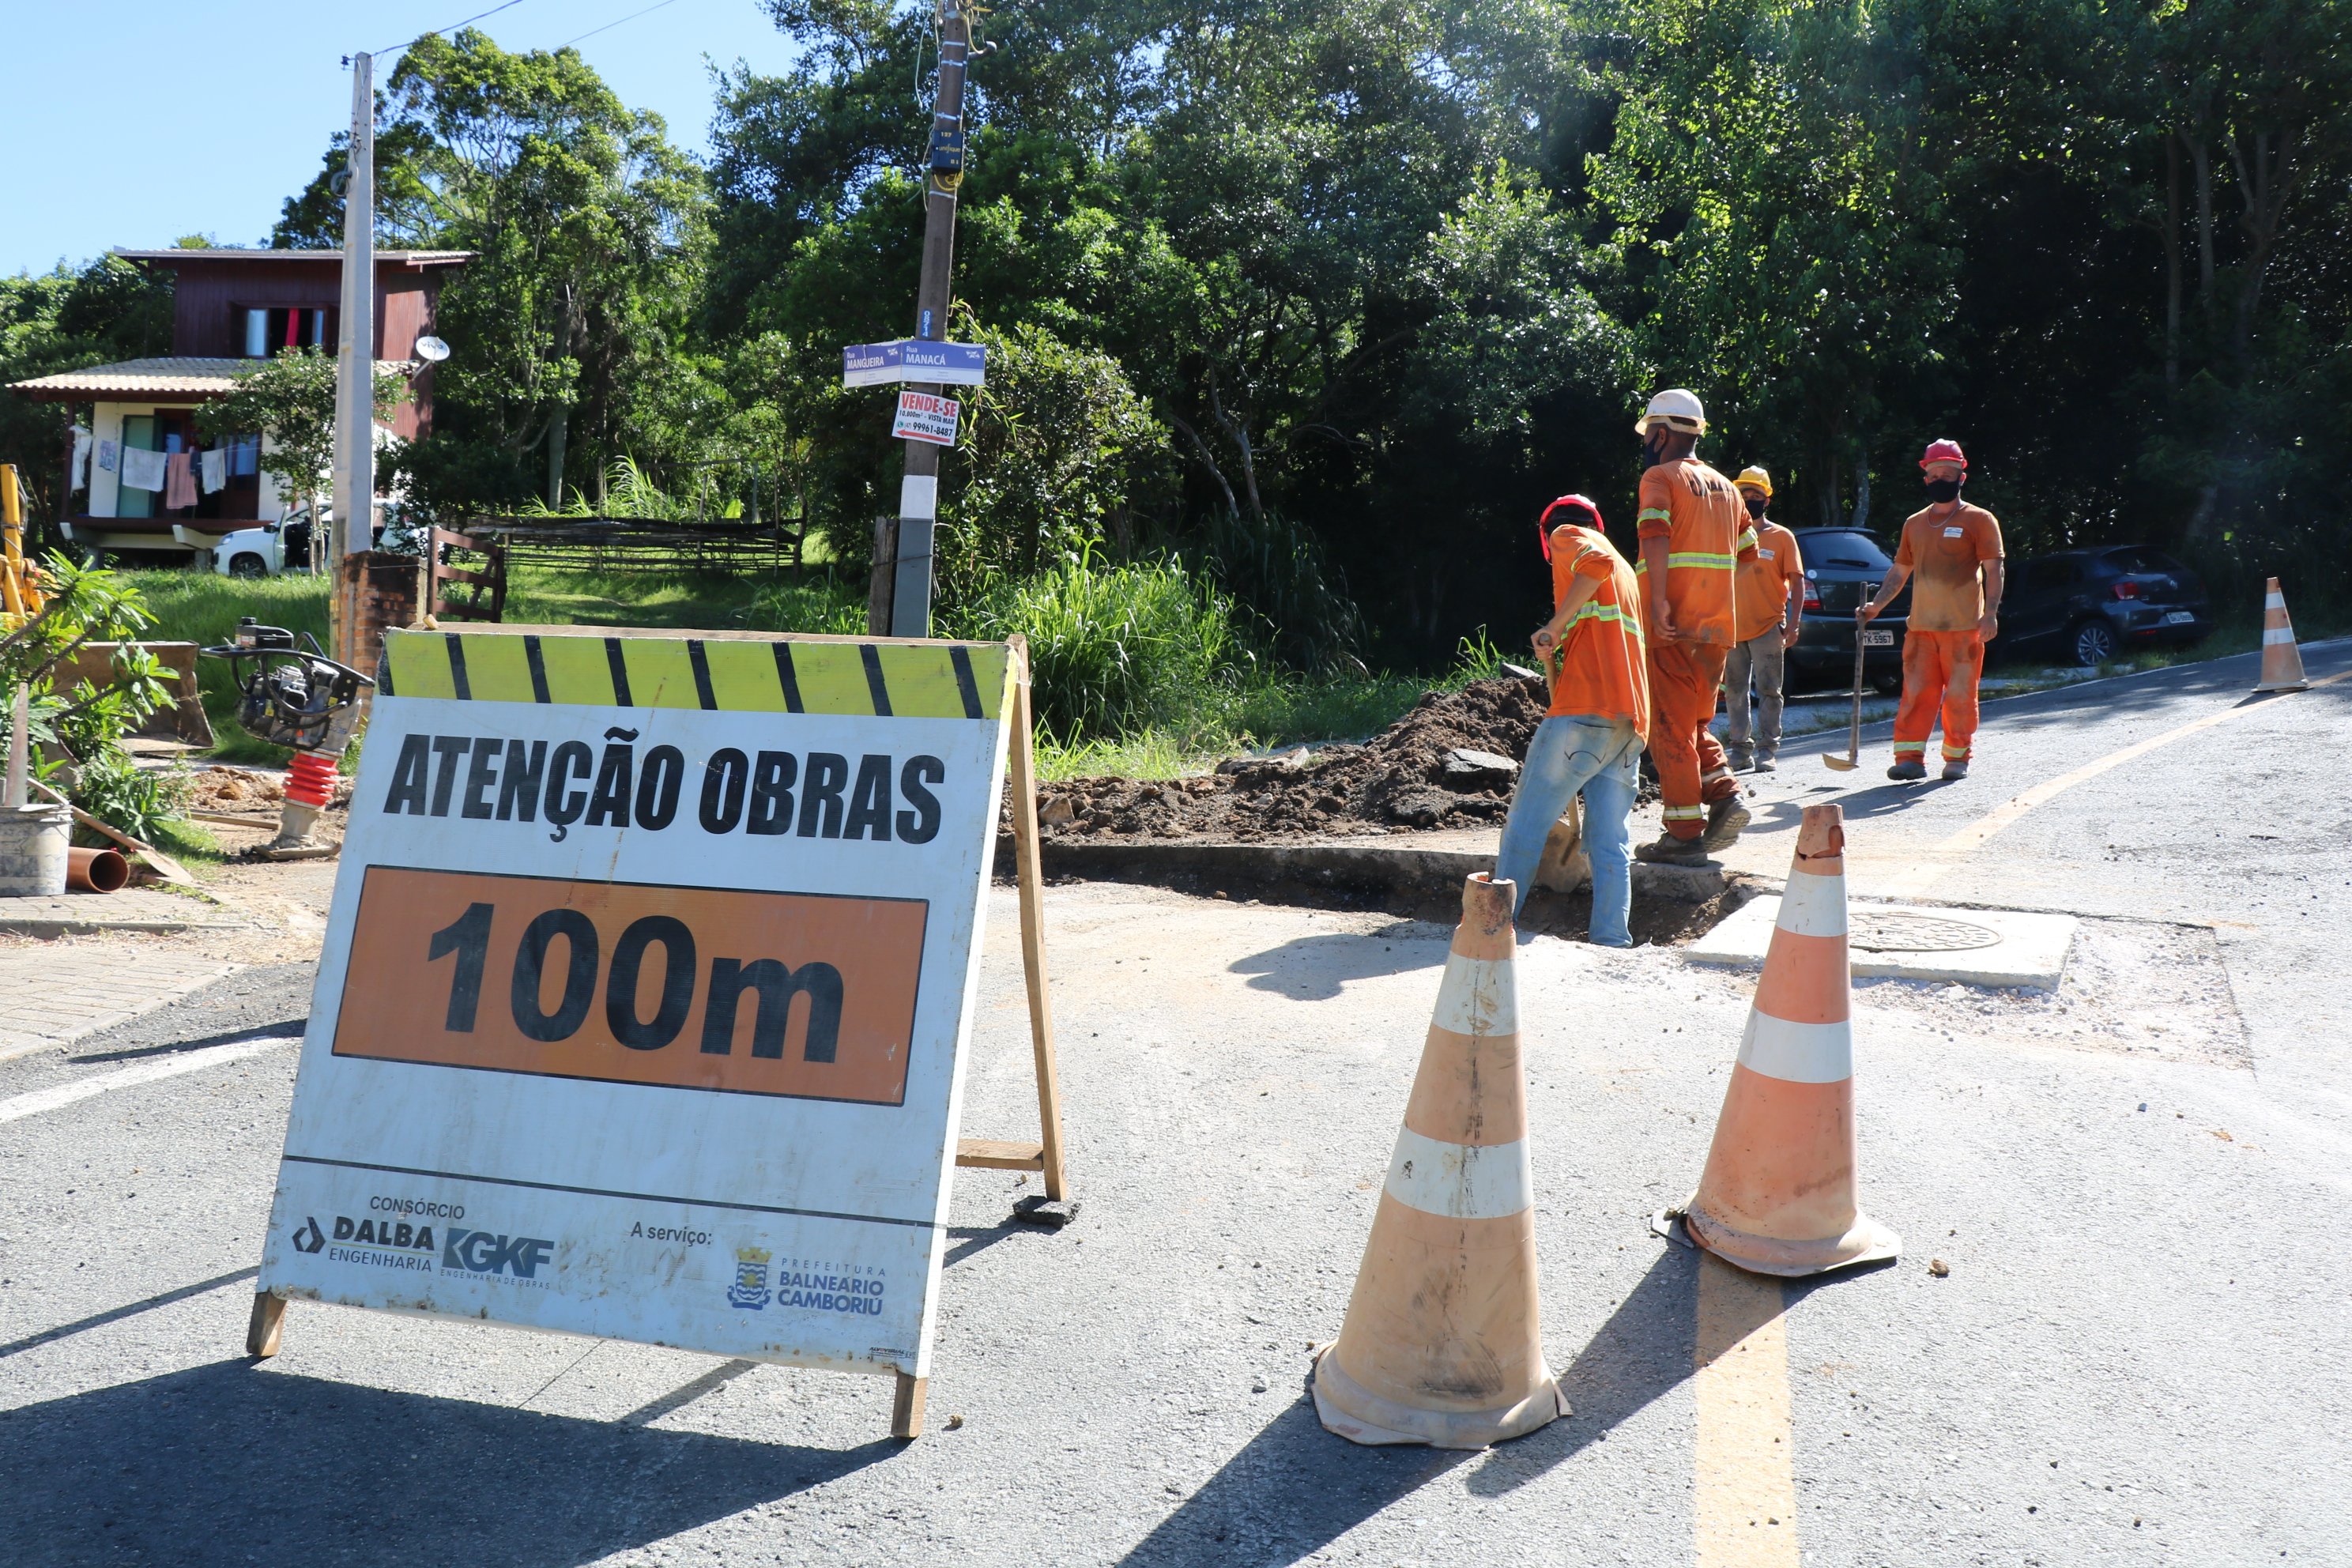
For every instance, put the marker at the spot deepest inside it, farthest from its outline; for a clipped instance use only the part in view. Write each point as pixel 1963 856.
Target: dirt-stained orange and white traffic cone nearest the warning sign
pixel 1441 1343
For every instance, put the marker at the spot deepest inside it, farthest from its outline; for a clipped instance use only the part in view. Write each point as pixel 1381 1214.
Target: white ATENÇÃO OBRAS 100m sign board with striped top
pixel 646 991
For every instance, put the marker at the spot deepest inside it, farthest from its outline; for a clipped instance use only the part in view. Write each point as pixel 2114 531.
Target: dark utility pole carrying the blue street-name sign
pixel 902 601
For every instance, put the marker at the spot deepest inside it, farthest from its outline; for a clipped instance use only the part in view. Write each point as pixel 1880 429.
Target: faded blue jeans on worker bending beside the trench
pixel 1568 756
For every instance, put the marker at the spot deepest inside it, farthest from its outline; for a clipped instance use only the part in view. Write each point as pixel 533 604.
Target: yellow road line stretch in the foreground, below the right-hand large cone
pixel 1746 1501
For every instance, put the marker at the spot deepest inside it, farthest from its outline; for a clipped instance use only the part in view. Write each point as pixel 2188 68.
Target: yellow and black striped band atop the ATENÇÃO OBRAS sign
pixel 907 681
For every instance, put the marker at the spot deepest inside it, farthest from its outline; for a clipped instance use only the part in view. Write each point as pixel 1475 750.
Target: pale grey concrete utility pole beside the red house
pixel 356 359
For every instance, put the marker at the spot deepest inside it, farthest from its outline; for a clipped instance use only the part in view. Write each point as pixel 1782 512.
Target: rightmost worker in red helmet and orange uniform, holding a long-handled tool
pixel 1956 551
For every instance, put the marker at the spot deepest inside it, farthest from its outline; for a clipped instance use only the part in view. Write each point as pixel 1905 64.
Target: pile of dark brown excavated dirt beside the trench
pixel 1450 763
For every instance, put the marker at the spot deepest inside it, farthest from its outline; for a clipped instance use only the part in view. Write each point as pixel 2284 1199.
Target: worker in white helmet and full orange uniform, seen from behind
pixel 1692 542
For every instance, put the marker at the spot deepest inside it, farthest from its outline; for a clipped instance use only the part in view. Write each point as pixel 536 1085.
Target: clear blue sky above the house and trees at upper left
pixel 138 123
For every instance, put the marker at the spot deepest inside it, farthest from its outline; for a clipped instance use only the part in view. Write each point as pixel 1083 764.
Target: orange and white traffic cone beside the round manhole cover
pixel 1777 1195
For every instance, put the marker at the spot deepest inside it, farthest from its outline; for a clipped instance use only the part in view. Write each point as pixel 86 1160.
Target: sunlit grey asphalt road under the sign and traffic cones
pixel 2139 1188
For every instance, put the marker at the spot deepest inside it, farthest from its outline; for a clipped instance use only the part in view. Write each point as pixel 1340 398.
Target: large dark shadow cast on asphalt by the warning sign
pixel 234 1463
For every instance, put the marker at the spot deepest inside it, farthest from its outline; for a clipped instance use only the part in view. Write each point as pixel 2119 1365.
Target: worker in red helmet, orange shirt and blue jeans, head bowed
pixel 1591 739
